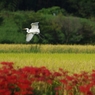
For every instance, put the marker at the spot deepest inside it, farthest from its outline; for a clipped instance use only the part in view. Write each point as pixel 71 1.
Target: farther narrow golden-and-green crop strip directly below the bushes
pixel 48 48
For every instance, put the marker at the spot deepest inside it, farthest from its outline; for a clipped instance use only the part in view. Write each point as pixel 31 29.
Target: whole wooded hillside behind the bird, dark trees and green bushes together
pixel 60 21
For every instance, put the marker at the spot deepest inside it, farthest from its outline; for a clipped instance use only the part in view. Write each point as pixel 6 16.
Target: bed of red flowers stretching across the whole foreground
pixel 41 81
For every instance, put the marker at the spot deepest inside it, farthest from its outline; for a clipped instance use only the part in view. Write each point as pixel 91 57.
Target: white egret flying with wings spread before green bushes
pixel 31 32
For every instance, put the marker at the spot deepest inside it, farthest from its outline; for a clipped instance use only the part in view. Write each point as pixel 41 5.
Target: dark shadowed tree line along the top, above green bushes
pixel 80 8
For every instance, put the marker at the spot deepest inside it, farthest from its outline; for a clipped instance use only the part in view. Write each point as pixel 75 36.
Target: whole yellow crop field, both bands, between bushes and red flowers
pixel 74 58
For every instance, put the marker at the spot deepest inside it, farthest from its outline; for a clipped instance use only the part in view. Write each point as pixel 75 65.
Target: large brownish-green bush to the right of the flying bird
pixel 74 29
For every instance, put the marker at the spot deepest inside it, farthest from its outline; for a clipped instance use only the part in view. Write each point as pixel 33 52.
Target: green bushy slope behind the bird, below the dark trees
pixel 56 25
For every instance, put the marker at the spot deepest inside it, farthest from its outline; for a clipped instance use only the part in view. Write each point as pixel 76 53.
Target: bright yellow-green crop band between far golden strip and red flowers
pixel 68 61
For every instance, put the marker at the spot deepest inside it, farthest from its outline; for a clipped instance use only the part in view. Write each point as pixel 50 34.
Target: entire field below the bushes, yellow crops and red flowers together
pixel 47 69
